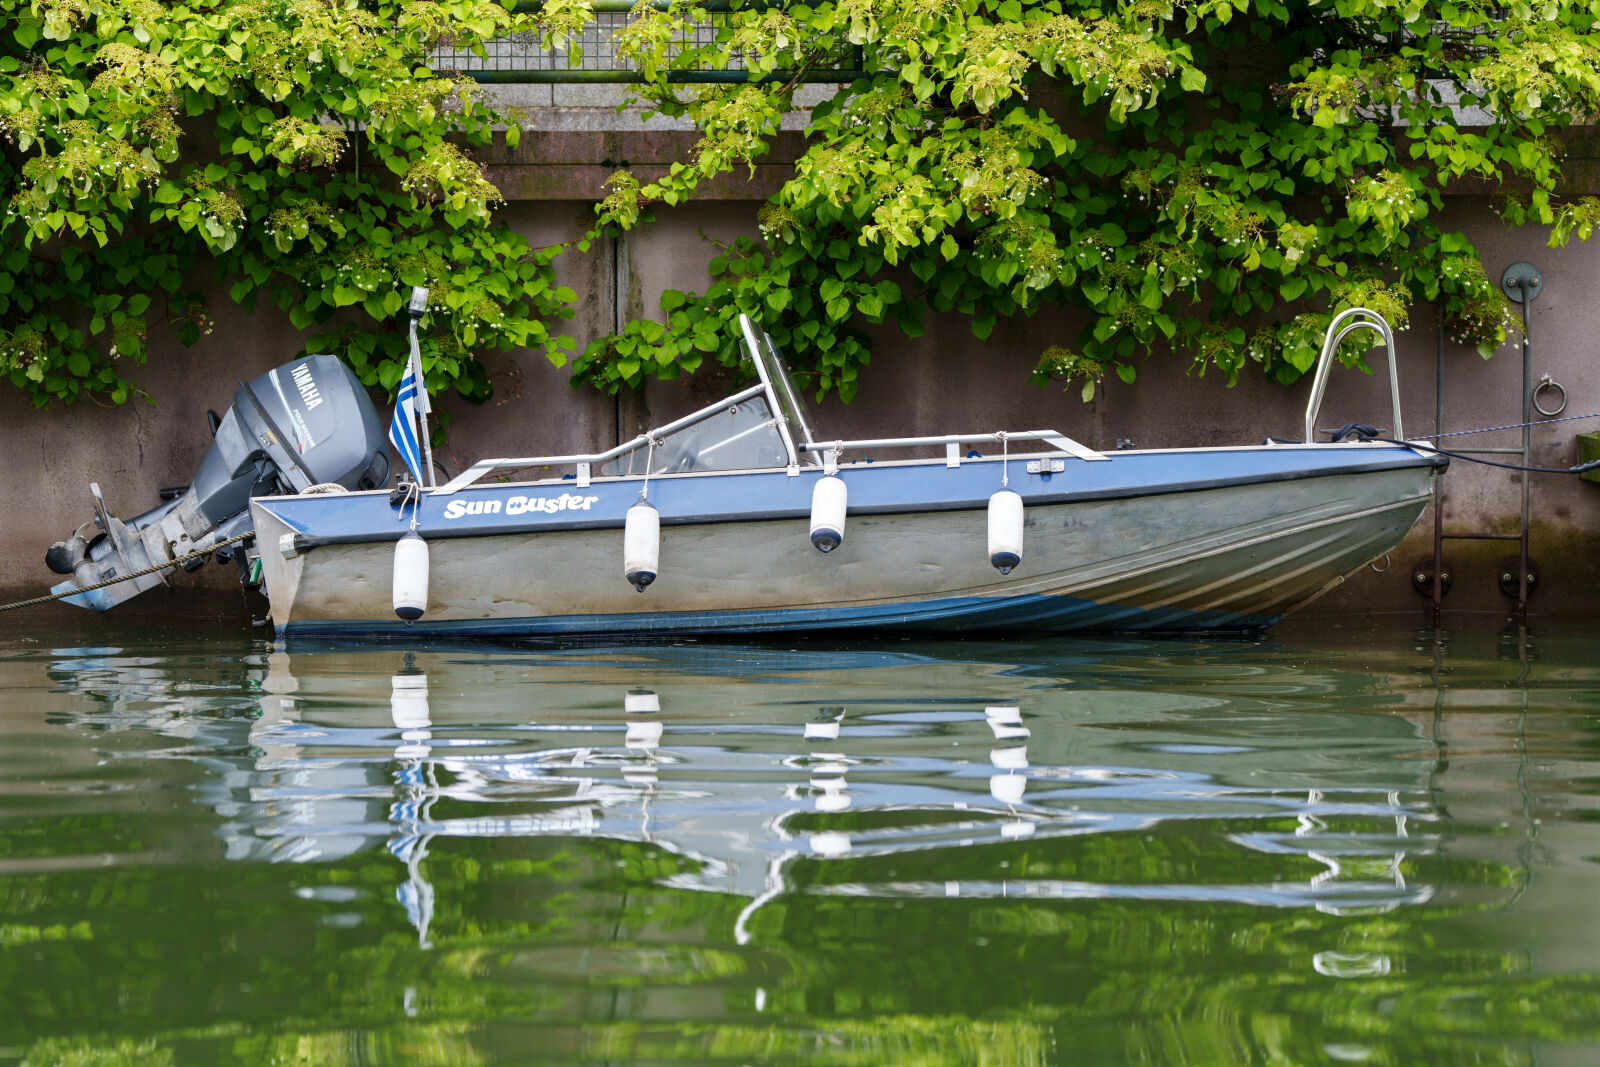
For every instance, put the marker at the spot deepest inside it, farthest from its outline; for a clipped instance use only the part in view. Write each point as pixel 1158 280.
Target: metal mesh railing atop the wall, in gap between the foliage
pixel 591 57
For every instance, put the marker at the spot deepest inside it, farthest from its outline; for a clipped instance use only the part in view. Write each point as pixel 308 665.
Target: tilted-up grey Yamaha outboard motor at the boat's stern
pixel 305 425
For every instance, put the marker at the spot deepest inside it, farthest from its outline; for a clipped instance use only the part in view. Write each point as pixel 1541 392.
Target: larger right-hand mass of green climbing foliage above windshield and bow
pixel 1210 178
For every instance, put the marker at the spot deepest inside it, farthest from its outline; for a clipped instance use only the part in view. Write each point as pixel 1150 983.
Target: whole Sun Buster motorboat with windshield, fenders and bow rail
pixel 743 519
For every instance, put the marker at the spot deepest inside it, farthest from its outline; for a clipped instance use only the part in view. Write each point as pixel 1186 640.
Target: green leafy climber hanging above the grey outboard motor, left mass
pixel 303 151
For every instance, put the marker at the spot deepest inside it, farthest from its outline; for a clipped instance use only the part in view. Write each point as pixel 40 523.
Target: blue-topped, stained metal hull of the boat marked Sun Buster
pixel 1103 551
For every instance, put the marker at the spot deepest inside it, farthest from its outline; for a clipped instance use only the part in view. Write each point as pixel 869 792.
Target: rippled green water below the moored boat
pixel 1322 849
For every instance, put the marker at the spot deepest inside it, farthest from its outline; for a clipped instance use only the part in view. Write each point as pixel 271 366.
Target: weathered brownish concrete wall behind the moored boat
pixel 942 383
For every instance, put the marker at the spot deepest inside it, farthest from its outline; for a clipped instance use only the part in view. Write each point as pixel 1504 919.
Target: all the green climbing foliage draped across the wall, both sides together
pixel 1191 198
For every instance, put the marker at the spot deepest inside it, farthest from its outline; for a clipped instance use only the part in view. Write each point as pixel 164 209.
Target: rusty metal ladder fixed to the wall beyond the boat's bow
pixel 1516 577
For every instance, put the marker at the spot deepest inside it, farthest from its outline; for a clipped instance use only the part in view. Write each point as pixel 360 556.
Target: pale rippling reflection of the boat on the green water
pixel 817 757
